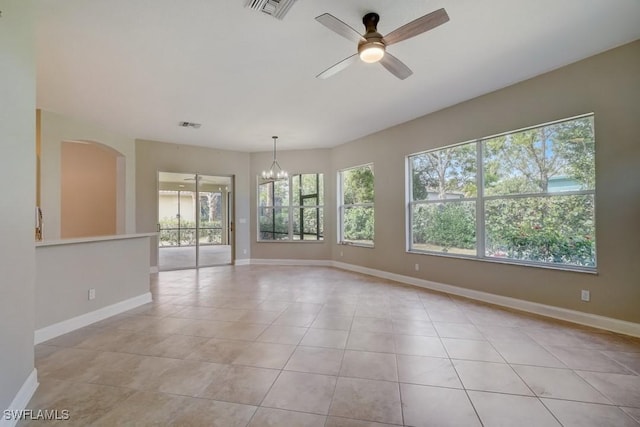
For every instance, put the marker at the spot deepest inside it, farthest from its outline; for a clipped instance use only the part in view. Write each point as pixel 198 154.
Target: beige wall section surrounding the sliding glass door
pixel 154 157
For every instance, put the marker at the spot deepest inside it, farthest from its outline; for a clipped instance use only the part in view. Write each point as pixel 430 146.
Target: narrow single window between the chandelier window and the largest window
pixel 356 211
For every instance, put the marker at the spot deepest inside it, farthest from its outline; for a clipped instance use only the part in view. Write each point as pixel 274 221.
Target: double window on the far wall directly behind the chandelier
pixel 291 209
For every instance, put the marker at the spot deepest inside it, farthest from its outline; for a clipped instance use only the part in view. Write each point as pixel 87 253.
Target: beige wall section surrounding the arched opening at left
pixel 55 129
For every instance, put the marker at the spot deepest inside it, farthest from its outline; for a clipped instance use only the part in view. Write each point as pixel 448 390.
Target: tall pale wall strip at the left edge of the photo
pixel 17 218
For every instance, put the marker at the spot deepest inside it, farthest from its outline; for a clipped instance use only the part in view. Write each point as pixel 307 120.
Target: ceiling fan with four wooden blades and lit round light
pixel 372 45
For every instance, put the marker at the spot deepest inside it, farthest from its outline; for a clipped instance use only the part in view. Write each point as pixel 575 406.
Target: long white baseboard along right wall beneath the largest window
pixel 586 319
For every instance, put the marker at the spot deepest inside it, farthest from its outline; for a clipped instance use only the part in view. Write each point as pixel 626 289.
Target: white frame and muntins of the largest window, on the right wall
pixel 481 200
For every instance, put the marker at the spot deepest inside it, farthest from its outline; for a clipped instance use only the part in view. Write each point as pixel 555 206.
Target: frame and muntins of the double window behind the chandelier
pixel 291 208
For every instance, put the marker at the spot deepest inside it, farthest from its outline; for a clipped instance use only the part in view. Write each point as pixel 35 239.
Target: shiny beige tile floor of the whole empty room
pixel 300 346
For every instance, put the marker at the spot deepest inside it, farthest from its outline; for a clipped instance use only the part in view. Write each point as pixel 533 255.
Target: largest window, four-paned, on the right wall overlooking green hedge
pixel 525 197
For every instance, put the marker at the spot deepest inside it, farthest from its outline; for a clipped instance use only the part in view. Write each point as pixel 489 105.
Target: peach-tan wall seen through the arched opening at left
pixel 88 190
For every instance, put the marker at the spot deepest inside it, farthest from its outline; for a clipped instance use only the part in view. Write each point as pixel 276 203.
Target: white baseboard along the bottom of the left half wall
pixel 66 326
